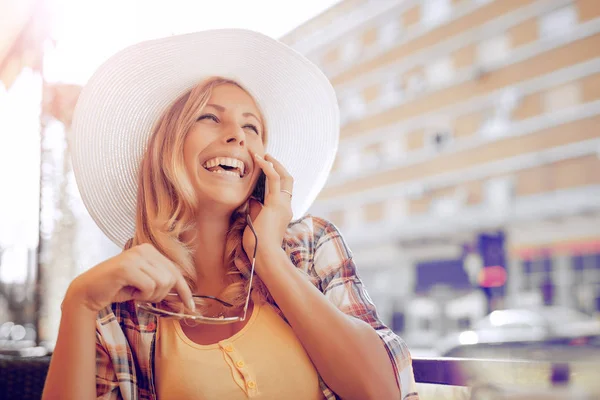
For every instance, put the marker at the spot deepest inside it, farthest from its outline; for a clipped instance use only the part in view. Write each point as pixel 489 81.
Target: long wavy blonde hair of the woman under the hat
pixel 166 199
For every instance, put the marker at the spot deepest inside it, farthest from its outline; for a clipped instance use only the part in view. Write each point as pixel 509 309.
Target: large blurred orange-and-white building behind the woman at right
pixel 468 174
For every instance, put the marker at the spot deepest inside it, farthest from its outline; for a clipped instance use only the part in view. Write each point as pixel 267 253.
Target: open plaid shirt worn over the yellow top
pixel 126 336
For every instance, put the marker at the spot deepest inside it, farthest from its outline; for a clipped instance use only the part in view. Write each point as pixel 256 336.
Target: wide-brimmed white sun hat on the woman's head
pixel 120 104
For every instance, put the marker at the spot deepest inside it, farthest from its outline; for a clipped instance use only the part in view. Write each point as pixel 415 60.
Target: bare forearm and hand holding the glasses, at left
pixel 140 273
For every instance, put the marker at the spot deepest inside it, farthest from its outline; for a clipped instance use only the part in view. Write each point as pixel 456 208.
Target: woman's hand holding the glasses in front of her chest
pixel 139 273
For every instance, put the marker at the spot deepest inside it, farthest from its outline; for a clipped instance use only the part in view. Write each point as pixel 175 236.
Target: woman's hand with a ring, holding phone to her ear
pixel 270 220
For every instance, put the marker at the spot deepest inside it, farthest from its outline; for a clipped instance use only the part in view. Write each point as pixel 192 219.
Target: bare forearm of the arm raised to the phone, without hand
pixel 346 351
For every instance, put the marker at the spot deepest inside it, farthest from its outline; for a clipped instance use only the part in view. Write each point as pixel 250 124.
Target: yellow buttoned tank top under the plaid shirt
pixel 264 360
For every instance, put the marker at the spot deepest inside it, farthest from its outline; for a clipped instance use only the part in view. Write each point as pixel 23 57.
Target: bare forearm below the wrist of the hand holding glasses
pixel 72 372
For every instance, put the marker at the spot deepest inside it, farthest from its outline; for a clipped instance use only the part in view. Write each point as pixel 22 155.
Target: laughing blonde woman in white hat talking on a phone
pixel 225 289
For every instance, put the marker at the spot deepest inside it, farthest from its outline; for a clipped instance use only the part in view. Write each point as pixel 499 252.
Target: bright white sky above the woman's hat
pixel 91 31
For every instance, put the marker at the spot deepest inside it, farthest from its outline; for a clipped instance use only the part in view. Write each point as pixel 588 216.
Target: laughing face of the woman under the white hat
pixel 219 148
